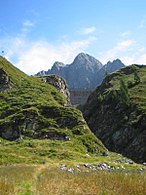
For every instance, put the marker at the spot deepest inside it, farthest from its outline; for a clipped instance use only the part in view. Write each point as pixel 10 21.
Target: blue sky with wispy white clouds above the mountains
pixel 36 33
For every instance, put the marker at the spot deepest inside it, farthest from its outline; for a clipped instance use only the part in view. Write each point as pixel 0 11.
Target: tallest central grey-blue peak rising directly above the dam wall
pixel 83 71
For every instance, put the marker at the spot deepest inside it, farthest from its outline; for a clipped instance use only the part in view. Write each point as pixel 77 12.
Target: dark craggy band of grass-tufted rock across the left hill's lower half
pixel 51 122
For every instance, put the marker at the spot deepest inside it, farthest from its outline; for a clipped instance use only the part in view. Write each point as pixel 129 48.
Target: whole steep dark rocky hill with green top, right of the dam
pixel 116 112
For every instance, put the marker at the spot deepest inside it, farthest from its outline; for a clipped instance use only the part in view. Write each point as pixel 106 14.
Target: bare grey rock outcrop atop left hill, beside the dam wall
pixel 59 83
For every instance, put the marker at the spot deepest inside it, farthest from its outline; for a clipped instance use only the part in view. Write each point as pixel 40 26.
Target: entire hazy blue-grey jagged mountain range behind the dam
pixel 85 72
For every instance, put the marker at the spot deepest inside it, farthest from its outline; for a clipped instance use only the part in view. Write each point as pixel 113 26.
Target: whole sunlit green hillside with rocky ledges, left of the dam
pixel 35 124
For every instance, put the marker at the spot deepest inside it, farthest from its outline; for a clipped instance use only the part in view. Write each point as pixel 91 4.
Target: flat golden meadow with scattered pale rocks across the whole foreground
pixel 68 179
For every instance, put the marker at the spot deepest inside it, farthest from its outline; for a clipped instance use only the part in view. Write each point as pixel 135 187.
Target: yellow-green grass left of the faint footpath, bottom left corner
pixel 16 179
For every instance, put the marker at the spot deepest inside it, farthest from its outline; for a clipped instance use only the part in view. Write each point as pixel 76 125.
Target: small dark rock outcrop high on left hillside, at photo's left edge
pixel 5 82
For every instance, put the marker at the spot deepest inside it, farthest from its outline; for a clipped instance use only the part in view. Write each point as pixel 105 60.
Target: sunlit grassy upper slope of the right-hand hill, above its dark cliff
pixel 136 92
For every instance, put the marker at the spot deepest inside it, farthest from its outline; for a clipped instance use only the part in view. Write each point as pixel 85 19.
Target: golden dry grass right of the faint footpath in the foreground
pixel 57 182
